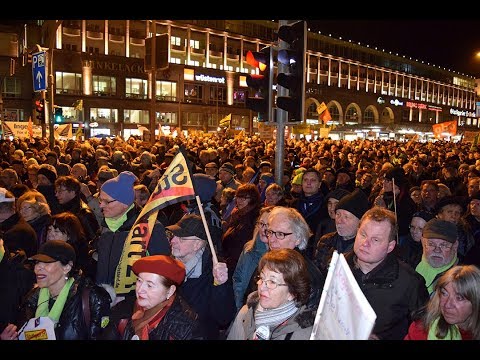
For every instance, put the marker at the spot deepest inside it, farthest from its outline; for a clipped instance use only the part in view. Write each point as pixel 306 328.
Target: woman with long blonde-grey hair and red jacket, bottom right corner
pixel 453 312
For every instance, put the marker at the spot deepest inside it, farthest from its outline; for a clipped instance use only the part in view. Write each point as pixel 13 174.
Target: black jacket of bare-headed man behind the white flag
pixel 395 291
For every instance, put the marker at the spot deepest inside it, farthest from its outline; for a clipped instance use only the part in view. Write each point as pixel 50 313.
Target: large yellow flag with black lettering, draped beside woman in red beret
pixel 174 186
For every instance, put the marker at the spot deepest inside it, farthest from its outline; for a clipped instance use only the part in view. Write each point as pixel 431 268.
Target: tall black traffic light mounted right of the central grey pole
pixel 295 35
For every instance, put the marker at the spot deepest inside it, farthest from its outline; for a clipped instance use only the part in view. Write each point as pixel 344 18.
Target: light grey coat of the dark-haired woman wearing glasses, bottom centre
pixel 297 327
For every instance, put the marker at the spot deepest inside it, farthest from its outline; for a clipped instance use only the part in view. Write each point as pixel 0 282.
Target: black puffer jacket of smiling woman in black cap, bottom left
pixel 71 325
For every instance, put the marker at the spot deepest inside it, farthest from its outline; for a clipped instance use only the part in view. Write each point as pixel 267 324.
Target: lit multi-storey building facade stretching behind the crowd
pixel 101 64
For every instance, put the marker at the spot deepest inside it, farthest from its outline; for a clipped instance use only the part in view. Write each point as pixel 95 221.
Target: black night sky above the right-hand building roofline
pixel 447 43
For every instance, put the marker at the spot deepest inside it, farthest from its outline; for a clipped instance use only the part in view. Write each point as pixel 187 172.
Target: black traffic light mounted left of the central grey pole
pixel 261 83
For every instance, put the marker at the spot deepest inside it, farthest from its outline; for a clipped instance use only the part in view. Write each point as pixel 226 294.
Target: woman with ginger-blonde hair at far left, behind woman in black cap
pixel 34 209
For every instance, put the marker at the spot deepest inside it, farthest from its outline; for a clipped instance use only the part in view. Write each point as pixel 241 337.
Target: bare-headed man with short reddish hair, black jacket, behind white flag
pixel 393 288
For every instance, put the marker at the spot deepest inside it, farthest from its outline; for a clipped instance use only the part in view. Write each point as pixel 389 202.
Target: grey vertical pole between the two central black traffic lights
pixel 281 117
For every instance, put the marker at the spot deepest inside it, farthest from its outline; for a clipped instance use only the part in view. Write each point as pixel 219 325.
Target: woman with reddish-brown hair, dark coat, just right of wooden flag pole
pixel 241 224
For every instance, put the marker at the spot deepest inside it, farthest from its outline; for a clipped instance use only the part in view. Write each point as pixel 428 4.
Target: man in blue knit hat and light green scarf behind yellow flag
pixel 117 201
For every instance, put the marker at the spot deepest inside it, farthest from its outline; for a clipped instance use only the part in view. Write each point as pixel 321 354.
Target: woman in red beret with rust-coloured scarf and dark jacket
pixel 157 312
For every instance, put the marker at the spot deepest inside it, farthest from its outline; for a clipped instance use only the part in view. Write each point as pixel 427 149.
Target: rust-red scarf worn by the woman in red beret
pixel 144 321
